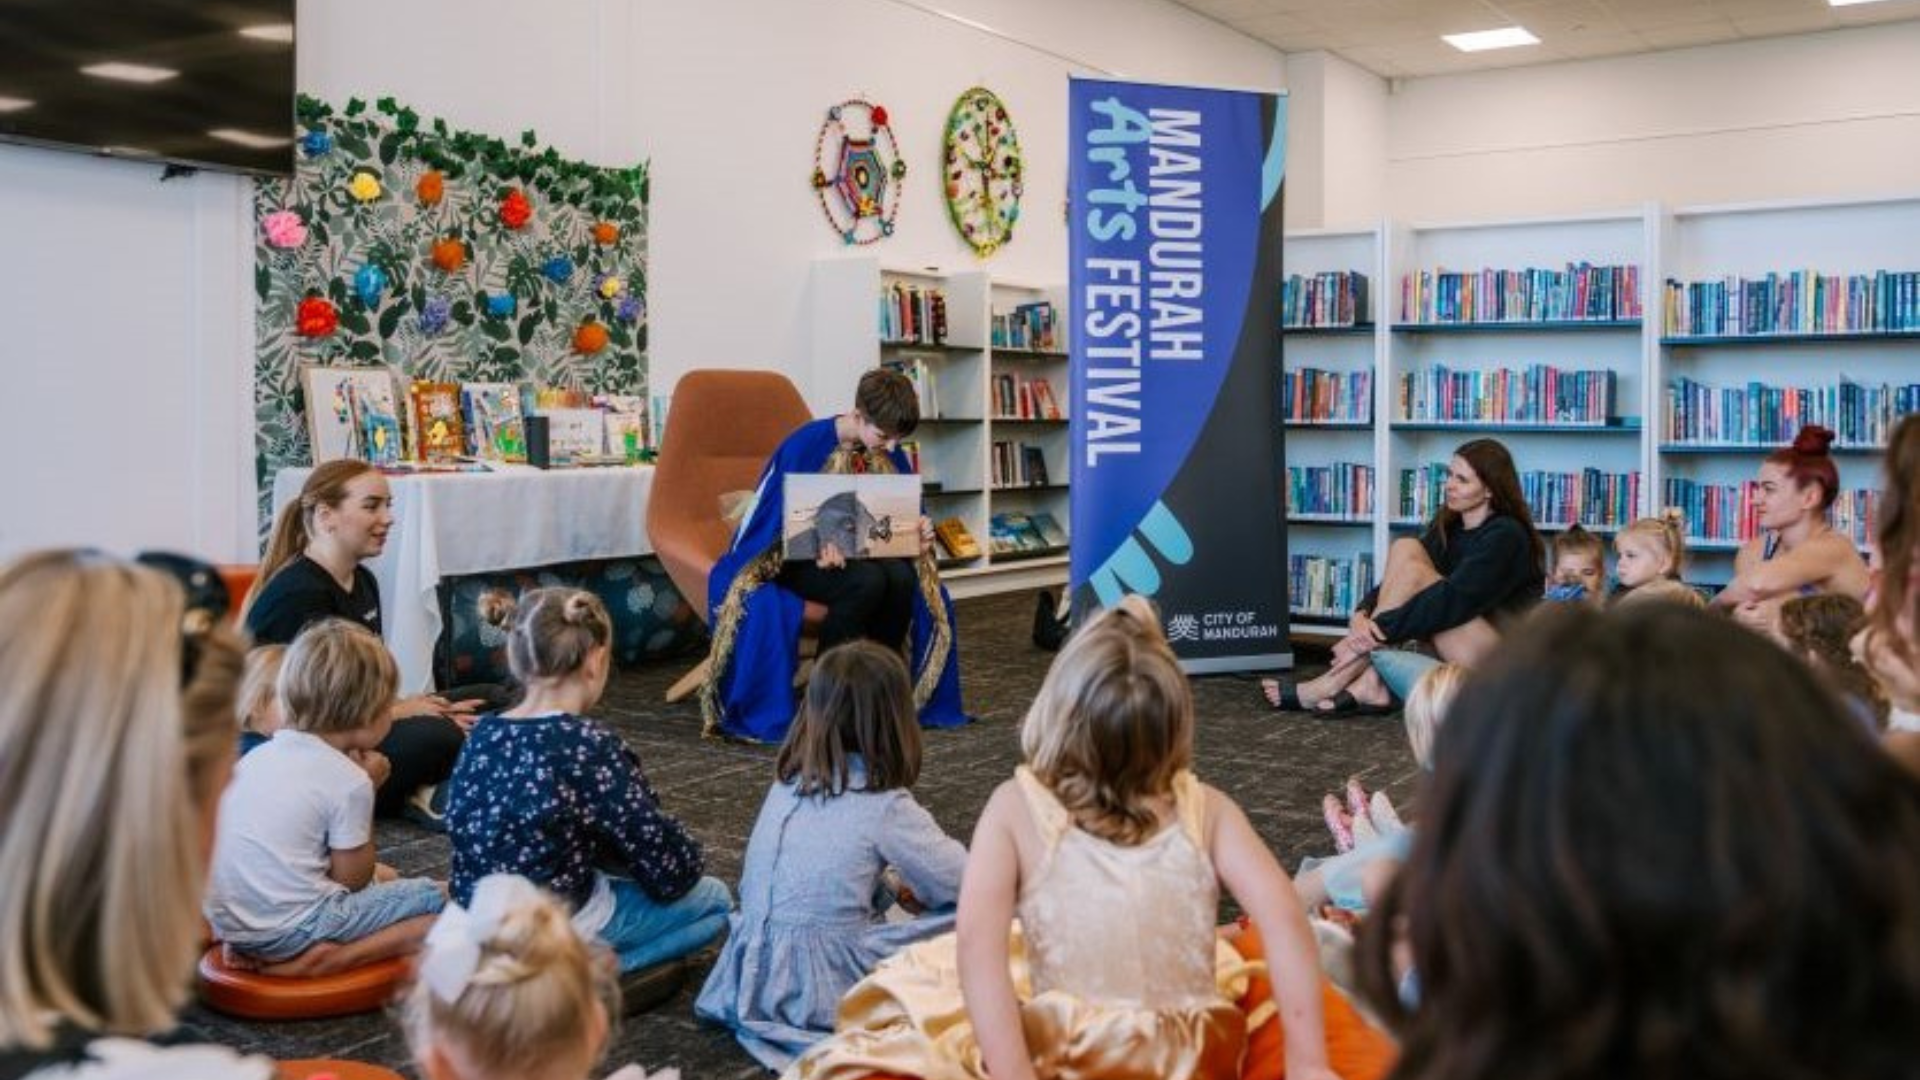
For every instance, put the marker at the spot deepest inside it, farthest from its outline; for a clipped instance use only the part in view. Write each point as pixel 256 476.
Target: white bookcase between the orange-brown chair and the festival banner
pixel 988 441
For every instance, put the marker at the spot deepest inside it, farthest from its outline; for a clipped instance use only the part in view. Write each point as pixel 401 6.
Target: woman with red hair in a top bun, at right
pixel 1798 552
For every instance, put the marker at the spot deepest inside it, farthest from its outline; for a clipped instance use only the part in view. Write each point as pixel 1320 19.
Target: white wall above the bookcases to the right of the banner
pixel 1835 114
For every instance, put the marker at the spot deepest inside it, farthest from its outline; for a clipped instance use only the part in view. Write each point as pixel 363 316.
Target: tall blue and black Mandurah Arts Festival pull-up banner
pixel 1176 339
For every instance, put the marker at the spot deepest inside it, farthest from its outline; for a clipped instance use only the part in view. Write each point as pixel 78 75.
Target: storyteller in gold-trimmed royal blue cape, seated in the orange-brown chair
pixel 756 599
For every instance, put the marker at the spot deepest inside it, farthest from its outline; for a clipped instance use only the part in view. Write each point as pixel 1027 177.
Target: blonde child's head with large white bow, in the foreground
pixel 508 991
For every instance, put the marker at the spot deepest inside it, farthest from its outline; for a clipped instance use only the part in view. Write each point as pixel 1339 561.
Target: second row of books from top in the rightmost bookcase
pixel 1758 414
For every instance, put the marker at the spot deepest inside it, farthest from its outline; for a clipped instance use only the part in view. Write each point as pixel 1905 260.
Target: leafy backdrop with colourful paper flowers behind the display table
pixel 441 255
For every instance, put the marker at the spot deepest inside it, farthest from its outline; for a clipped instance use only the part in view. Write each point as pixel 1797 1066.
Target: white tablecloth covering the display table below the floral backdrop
pixel 462 524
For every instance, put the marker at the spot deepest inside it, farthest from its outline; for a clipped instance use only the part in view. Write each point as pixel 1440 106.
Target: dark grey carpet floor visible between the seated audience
pixel 1276 766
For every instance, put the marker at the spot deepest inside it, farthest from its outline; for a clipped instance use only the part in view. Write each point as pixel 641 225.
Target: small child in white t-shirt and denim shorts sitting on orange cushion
pixel 295 887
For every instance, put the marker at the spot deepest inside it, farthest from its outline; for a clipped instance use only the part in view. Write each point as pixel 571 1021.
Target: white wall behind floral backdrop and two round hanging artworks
pixel 128 307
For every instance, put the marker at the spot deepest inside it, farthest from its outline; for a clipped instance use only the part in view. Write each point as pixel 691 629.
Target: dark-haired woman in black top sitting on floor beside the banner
pixel 1479 562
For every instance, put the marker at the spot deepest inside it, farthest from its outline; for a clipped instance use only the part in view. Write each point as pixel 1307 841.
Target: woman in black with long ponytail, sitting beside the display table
pixel 314 572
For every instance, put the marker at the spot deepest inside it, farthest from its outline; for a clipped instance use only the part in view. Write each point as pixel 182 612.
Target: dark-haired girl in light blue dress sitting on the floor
pixel 838 845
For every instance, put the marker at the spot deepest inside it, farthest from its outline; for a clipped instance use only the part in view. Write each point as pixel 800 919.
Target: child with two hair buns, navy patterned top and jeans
pixel 546 793
